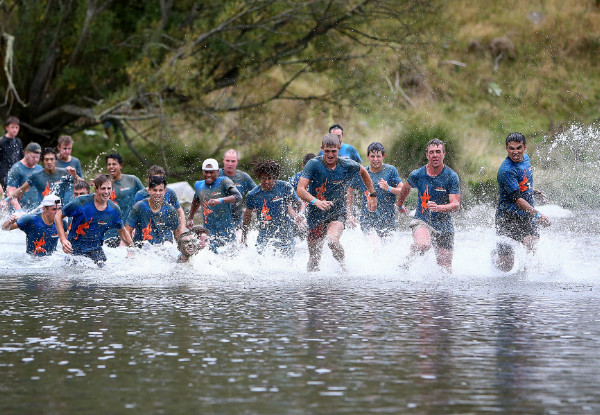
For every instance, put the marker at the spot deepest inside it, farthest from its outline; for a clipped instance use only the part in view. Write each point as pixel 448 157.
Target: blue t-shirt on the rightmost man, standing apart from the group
pixel 515 180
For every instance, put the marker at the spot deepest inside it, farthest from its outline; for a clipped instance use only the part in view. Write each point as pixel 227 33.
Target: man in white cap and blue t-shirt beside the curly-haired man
pixel 215 195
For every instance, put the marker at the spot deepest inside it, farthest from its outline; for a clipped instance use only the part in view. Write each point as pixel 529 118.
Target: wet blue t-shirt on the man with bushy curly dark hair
pixel 274 220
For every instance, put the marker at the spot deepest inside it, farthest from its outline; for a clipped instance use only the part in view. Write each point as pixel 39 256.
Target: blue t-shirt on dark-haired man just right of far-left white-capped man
pixel 90 224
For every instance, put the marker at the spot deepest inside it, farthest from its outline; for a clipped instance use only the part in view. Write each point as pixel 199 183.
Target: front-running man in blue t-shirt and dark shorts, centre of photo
pixel 323 185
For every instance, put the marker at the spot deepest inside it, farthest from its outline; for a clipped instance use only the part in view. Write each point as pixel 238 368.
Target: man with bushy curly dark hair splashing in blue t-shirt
pixel 273 200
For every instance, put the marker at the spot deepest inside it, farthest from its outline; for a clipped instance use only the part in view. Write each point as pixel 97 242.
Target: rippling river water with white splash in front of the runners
pixel 259 335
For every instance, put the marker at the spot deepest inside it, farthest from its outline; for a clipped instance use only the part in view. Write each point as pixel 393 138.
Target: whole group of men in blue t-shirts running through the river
pixel 315 204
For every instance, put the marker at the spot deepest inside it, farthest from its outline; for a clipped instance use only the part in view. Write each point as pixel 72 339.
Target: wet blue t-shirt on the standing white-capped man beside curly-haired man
pixel 217 219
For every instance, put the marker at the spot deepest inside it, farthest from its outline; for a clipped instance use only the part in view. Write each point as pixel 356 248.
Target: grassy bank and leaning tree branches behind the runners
pixel 174 82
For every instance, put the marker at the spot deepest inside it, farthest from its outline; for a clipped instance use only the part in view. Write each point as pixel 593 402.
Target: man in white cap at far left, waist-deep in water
pixel 40 229
